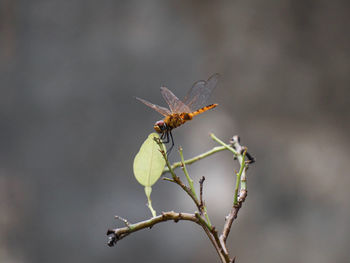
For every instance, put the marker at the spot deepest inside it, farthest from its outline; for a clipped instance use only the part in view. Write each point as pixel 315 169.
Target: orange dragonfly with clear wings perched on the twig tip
pixel 180 112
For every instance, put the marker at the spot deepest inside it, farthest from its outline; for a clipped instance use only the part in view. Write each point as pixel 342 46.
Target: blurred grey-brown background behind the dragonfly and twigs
pixel 70 126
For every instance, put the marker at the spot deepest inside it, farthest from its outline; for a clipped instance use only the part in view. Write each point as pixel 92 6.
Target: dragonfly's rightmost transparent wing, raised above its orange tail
pixel 198 95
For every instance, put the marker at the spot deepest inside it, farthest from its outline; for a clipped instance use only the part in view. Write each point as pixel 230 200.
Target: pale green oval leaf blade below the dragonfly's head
pixel 149 162
